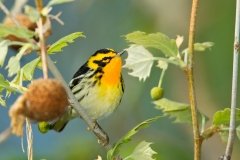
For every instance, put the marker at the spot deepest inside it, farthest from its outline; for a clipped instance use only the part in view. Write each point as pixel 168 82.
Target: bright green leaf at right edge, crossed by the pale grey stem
pixel 223 117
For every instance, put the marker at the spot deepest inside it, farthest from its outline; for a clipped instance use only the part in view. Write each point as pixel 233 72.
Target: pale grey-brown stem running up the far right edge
pixel 232 129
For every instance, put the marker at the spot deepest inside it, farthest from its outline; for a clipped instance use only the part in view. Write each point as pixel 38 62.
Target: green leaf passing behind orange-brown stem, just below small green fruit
pixel 180 111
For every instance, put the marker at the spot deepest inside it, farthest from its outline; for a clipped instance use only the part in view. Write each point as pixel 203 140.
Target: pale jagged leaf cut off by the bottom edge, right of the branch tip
pixel 142 151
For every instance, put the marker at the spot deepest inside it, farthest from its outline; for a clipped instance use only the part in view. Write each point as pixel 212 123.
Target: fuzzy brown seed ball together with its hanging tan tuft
pixel 45 100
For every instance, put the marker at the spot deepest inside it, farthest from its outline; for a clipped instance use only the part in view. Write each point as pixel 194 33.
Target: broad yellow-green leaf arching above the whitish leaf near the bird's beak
pixel 155 40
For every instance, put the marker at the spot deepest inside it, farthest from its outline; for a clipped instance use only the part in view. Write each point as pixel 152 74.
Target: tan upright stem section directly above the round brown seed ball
pixel 42 47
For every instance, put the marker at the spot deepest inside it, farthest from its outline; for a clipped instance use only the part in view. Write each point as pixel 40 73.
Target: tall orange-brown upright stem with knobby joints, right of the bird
pixel 189 74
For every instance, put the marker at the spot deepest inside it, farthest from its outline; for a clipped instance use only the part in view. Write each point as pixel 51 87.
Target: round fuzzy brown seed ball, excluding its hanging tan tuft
pixel 46 100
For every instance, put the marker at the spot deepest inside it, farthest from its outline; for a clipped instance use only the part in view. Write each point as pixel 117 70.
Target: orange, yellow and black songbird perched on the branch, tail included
pixel 97 85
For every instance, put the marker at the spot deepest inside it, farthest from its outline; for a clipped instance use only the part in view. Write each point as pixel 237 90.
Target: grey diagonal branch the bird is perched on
pixel 102 136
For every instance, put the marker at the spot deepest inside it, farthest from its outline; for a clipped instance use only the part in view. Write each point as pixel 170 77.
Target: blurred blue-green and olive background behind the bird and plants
pixel 104 22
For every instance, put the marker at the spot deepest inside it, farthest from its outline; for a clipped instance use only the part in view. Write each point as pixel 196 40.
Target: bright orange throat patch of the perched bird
pixel 112 72
